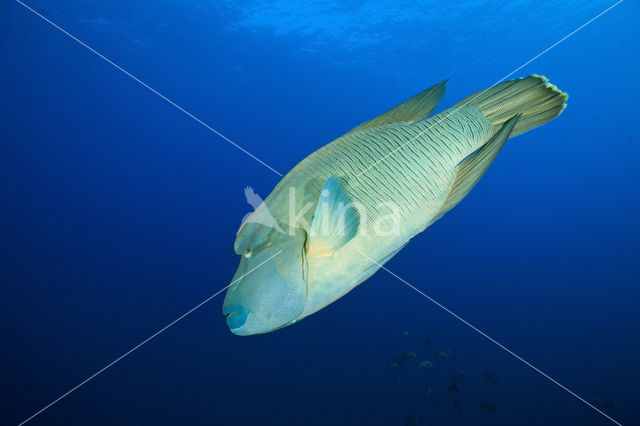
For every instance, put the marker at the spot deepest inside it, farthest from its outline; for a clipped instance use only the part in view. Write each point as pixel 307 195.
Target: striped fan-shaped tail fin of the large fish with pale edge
pixel 537 100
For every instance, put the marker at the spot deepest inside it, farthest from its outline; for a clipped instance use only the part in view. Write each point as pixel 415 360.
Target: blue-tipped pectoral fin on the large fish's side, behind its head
pixel 335 220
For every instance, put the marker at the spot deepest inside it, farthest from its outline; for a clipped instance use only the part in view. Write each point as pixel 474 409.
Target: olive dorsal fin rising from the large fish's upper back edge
pixel 411 110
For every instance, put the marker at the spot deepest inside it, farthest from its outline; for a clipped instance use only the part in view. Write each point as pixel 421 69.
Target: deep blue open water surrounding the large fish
pixel 118 214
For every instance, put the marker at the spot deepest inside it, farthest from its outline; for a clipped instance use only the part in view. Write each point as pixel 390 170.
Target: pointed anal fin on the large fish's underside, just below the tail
pixel 471 169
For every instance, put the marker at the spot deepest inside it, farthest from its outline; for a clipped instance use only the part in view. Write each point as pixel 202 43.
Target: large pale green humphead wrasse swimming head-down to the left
pixel 346 209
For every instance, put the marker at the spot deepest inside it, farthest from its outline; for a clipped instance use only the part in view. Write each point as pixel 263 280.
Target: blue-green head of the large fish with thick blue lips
pixel 269 289
